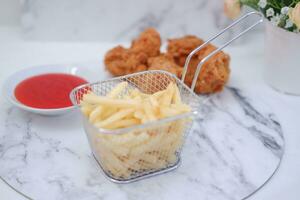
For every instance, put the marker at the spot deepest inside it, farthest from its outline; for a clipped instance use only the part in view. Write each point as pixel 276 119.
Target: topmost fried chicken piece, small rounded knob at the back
pixel 148 42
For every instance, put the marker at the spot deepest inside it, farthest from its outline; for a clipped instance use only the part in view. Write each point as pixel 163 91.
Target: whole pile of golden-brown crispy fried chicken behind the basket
pixel 144 54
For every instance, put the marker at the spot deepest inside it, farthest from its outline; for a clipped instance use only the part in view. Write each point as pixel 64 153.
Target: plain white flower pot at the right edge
pixel 282 56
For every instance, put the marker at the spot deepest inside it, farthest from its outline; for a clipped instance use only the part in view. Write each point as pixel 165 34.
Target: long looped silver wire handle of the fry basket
pixel 186 65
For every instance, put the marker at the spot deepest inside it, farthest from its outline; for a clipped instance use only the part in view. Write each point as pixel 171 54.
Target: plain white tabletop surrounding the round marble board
pixel 246 73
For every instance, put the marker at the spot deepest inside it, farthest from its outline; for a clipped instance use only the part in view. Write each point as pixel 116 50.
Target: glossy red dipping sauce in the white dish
pixel 47 91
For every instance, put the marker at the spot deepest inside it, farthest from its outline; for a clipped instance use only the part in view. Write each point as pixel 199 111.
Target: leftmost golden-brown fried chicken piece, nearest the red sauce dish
pixel 120 61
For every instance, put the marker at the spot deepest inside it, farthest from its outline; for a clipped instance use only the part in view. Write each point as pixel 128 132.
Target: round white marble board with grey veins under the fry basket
pixel 234 147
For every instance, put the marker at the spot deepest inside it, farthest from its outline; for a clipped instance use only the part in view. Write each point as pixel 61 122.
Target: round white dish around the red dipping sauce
pixel 92 72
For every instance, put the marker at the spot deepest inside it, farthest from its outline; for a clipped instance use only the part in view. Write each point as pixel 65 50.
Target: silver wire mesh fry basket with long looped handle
pixel 140 151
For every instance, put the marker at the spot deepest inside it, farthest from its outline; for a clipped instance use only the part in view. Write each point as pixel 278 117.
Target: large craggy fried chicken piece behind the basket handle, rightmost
pixel 214 73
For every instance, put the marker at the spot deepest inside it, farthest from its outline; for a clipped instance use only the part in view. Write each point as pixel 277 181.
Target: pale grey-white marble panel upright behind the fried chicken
pixel 119 20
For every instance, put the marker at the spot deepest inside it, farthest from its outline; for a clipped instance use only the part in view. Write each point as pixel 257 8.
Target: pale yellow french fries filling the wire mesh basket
pixel 142 150
